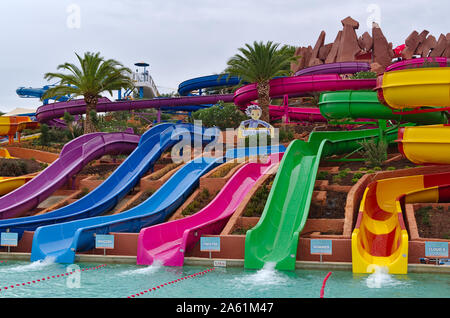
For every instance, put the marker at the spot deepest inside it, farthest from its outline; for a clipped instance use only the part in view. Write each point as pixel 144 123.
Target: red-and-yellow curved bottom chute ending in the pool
pixel 380 238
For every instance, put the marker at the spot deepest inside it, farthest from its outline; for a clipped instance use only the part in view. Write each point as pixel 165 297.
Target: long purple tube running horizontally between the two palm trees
pixel 77 107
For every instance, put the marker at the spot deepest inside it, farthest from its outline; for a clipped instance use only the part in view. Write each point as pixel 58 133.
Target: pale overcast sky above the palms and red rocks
pixel 181 39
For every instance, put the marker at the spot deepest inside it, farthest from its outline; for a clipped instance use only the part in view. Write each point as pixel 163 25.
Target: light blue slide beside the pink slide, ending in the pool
pixel 60 242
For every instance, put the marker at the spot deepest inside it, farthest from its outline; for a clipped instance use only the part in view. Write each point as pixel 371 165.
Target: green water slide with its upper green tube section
pixel 275 237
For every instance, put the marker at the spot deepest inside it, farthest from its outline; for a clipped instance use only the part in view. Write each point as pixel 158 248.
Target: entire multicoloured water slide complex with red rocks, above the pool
pixel 401 107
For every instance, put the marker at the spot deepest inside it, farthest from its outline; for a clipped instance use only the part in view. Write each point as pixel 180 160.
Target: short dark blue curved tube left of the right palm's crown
pixel 209 81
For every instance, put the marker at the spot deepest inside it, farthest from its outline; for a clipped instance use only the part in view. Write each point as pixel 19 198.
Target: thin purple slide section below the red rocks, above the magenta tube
pixel 335 68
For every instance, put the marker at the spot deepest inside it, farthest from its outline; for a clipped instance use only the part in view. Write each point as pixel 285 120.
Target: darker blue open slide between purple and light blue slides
pixel 151 145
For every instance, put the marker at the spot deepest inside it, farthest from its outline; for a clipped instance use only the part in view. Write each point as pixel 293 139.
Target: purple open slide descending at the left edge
pixel 73 157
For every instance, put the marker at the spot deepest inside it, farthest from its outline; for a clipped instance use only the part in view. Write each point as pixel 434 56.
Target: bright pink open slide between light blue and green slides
pixel 167 243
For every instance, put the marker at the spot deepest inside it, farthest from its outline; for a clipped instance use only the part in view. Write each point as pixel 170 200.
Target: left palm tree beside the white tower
pixel 94 76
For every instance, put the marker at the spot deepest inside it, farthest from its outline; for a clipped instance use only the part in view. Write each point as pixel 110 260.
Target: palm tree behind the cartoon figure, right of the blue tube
pixel 260 63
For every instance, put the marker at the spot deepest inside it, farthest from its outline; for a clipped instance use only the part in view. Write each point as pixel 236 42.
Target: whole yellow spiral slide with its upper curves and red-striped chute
pixel 379 238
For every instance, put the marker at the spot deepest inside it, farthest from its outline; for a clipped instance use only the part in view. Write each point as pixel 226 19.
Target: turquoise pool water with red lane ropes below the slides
pixel 123 281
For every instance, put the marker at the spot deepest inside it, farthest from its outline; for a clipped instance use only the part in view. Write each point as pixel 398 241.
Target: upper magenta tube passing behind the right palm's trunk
pixel 300 85
